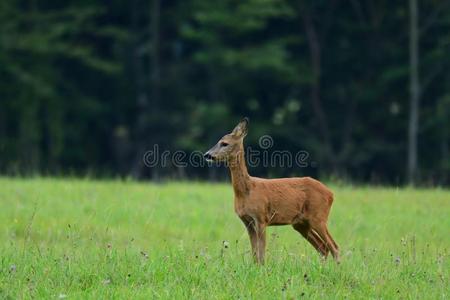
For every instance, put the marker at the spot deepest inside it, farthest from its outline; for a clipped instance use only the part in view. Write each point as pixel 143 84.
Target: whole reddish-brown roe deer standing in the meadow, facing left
pixel 302 202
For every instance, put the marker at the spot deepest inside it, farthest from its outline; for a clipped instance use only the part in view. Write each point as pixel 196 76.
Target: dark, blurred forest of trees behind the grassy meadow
pixel 87 87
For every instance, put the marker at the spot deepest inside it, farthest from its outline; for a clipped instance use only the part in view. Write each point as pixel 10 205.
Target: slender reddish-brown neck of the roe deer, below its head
pixel 239 175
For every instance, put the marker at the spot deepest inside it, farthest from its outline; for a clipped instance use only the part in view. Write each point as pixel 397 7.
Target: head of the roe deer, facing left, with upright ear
pixel 228 147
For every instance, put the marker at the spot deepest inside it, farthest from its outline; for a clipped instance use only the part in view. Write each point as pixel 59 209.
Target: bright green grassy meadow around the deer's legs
pixel 85 239
